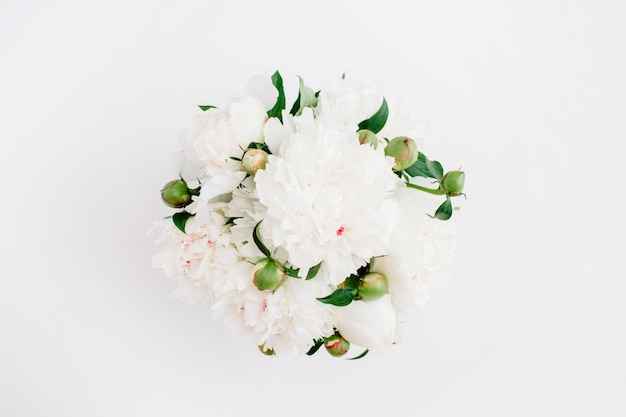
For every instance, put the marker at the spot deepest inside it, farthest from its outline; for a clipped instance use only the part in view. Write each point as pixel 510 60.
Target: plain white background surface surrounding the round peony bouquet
pixel 529 97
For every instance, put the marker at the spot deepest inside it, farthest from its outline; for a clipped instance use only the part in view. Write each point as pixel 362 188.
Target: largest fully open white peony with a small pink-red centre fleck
pixel 328 199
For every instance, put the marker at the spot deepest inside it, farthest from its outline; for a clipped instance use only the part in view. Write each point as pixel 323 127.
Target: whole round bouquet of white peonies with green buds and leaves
pixel 319 225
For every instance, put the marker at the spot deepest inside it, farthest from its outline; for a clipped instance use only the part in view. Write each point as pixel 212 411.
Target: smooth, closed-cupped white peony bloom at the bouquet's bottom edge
pixel 368 324
